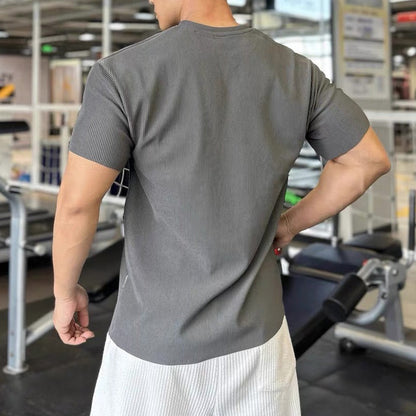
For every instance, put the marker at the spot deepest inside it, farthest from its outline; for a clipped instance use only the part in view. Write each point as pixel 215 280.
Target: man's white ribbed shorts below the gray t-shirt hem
pixel 259 381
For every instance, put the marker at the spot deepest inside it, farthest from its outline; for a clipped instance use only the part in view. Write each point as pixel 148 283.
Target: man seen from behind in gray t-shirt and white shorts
pixel 211 116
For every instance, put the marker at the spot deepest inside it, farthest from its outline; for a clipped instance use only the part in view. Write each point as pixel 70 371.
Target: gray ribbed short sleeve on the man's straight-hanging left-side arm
pixel 101 132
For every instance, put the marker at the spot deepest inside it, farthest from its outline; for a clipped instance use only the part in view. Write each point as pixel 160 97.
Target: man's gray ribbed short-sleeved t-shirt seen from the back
pixel 211 120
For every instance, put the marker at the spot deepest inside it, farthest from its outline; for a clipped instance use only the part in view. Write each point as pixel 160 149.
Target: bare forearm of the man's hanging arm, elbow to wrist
pixel 72 238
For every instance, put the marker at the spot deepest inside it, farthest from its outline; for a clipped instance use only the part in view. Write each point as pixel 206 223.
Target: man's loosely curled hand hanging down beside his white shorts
pixel 71 332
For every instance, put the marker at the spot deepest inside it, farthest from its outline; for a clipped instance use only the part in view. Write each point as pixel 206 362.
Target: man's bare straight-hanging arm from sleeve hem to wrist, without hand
pixel 83 186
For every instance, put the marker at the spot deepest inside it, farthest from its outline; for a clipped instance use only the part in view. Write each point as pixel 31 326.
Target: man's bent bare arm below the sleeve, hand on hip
pixel 343 180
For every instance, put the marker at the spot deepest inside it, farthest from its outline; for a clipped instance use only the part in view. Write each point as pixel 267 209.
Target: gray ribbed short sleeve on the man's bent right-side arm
pixel 336 123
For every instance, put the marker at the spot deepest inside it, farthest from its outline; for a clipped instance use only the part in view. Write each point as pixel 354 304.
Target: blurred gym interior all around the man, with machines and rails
pixel 349 283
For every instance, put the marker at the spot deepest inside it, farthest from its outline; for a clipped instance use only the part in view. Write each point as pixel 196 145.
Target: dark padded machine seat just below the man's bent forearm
pixel 323 260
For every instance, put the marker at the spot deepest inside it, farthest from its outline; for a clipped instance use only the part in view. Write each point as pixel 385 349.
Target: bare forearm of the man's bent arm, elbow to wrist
pixel 338 187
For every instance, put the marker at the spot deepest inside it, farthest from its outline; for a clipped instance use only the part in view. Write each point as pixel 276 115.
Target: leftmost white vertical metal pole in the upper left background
pixel 36 29
